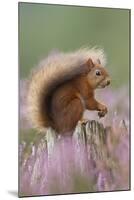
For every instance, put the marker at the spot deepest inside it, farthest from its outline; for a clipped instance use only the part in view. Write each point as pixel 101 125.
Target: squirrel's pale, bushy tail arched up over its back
pixel 51 73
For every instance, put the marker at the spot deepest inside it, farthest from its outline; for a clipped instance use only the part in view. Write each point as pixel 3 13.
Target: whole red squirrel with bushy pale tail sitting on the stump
pixel 62 88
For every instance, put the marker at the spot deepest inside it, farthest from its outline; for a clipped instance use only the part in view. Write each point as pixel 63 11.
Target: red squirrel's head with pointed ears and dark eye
pixel 98 77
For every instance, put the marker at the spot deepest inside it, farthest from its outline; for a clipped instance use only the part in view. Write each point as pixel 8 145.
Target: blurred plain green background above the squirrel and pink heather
pixel 43 28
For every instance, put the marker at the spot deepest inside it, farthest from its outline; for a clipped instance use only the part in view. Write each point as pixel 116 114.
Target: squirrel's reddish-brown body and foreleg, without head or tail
pixel 67 107
